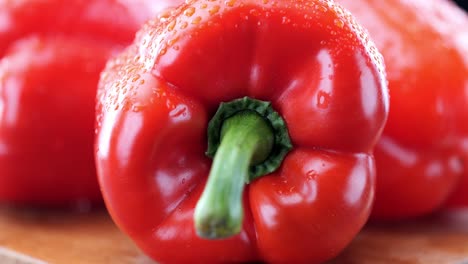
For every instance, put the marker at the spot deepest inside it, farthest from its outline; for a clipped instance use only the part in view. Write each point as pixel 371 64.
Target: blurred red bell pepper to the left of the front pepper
pixel 51 55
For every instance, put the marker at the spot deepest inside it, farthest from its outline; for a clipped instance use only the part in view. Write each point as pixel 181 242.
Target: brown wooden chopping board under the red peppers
pixel 57 237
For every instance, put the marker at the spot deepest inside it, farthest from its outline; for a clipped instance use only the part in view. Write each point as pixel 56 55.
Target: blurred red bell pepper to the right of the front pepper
pixel 423 150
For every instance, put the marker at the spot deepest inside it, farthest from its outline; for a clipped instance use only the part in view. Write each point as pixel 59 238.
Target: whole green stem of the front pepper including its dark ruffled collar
pixel 248 139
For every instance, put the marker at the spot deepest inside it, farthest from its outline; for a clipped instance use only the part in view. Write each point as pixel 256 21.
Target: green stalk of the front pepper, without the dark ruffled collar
pixel 247 139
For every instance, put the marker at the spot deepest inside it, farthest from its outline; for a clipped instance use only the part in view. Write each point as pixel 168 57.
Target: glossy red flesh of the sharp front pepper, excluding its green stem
pixel 321 74
